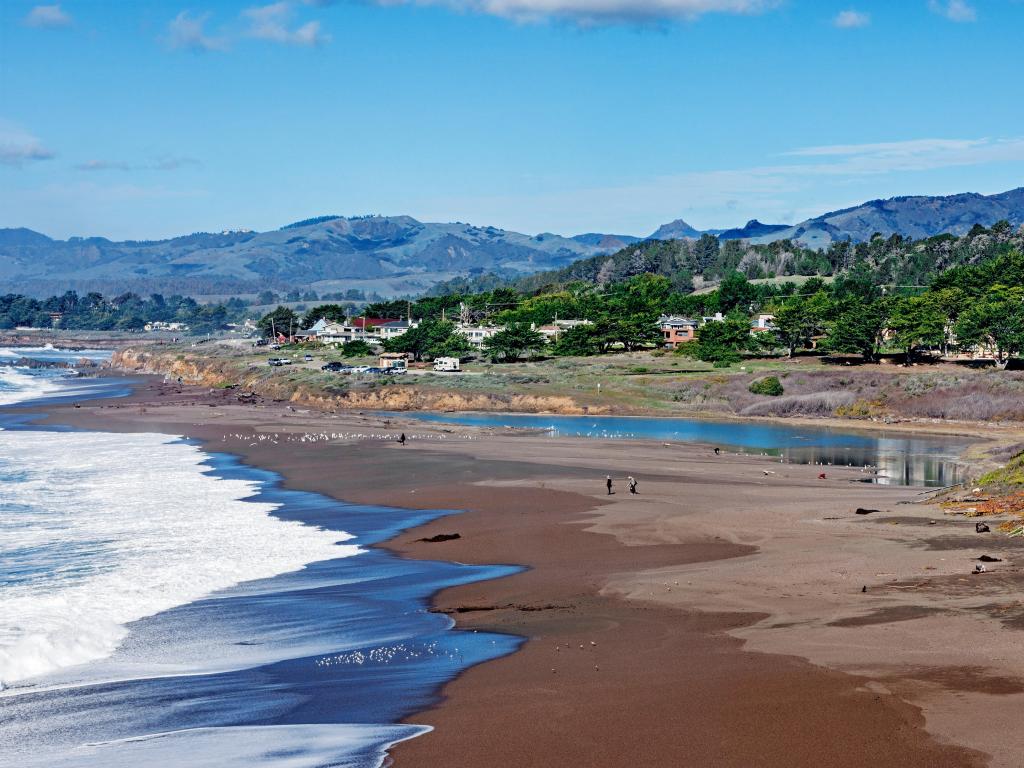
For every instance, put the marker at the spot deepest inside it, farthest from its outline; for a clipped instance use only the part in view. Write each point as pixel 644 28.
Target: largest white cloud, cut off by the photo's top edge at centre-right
pixel 594 13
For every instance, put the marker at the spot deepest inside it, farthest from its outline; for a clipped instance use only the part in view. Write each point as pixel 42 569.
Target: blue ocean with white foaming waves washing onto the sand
pixel 165 606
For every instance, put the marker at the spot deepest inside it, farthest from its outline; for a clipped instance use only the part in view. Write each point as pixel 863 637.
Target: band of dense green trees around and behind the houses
pixel 965 308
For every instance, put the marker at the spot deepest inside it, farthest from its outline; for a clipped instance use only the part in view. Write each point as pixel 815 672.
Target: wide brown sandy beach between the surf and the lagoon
pixel 716 619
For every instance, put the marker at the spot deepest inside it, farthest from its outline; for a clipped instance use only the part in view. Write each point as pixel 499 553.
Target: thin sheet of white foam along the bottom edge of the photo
pixel 244 747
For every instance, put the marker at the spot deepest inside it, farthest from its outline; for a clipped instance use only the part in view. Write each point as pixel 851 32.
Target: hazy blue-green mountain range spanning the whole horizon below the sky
pixel 399 255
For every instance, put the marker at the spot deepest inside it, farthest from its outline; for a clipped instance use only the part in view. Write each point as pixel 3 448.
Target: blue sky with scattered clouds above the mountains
pixel 154 119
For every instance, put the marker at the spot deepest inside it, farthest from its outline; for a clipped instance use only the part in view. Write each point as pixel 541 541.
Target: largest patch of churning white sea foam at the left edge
pixel 101 530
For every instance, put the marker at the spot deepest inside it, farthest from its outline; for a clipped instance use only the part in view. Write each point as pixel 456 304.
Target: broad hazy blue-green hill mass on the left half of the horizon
pixel 391 255
